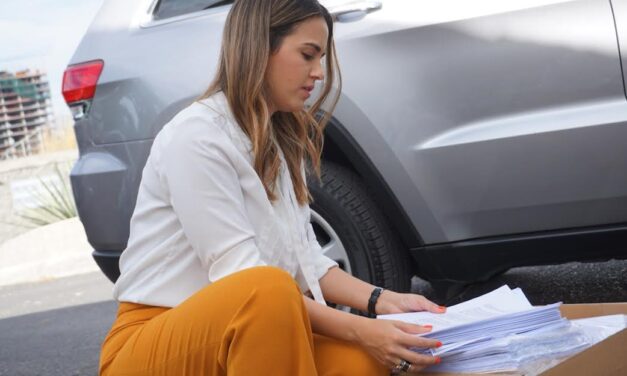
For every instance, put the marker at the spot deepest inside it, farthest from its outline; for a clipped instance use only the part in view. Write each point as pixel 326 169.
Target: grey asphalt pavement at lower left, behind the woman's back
pixel 55 327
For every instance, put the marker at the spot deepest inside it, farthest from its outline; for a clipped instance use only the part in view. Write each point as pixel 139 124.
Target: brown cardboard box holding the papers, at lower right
pixel 606 358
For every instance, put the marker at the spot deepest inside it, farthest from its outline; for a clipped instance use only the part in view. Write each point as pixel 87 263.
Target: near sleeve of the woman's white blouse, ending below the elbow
pixel 205 193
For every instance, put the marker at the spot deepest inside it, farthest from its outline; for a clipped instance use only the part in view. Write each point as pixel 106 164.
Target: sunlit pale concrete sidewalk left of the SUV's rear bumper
pixel 49 252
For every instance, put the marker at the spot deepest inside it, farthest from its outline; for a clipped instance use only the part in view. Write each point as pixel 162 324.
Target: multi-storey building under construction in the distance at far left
pixel 25 112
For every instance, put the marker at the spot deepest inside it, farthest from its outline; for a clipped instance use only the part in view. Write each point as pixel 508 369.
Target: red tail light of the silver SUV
pixel 79 86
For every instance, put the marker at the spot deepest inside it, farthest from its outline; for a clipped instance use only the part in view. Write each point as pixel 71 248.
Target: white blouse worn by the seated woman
pixel 202 213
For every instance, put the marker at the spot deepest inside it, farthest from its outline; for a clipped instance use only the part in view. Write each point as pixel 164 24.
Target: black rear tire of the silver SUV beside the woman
pixel 348 223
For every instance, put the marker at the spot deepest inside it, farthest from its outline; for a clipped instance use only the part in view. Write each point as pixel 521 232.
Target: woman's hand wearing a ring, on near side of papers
pixel 389 342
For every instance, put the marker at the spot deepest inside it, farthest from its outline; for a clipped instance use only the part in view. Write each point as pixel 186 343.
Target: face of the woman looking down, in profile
pixel 296 65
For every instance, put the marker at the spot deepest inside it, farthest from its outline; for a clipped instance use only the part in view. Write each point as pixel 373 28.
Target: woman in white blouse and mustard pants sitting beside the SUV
pixel 221 248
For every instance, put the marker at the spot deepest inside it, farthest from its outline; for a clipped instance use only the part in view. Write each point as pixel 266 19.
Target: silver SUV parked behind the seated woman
pixel 470 137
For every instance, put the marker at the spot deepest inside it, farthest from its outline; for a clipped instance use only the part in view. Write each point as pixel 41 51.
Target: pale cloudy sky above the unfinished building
pixel 43 34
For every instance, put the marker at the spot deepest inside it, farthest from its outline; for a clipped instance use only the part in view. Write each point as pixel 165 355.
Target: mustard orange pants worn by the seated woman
pixel 253 322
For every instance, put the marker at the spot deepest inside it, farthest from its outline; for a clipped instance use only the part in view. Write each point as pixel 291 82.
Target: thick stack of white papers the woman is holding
pixel 497 332
